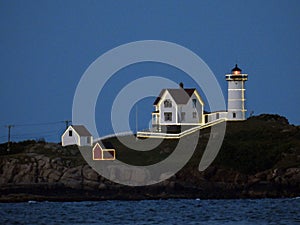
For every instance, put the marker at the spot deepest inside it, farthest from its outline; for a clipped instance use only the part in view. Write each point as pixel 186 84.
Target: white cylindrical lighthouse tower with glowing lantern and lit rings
pixel 236 94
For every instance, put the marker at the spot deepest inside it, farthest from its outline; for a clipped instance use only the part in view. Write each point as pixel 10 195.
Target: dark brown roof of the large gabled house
pixel 180 95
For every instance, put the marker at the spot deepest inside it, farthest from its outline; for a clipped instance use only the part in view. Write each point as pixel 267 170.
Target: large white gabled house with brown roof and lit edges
pixel 177 107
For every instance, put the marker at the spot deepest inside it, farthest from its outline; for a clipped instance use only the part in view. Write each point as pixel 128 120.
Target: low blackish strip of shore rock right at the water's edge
pixel 213 191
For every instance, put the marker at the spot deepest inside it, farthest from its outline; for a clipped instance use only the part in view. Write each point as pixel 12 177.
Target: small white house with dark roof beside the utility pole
pixel 77 135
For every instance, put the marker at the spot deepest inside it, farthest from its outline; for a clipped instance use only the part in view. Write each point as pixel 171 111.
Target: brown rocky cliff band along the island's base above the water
pixel 40 172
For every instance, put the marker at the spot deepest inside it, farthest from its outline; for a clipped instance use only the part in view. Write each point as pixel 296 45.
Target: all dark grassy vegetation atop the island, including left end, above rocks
pixel 260 143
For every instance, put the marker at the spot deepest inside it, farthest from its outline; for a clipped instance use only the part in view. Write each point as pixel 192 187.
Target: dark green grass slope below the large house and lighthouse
pixel 258 144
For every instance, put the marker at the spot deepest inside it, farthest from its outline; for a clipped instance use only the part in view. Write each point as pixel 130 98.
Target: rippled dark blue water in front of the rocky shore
pixel 181 211
